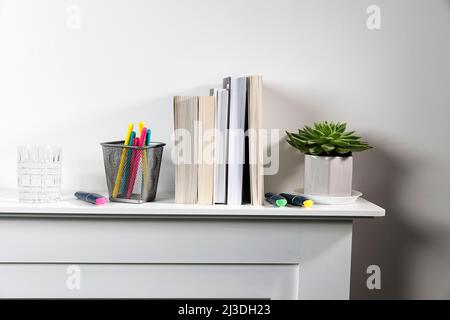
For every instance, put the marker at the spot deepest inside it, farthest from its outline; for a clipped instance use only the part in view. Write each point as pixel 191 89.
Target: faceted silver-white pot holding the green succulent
pixel 328 176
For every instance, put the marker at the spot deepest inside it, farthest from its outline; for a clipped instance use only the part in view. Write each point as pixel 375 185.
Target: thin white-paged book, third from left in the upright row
pixel 221 148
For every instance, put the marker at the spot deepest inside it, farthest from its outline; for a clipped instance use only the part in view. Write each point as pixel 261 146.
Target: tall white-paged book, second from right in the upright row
pixel 236 137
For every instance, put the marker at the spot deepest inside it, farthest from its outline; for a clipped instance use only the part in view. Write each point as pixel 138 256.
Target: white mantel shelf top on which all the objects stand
pixel 165 207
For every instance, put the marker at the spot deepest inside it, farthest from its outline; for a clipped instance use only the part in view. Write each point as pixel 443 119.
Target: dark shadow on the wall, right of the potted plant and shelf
pixel 387 241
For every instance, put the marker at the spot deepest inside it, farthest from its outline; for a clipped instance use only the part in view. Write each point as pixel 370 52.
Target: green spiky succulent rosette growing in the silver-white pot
pixel 327 139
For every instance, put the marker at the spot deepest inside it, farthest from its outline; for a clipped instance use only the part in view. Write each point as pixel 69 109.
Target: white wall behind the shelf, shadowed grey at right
pixel 80 87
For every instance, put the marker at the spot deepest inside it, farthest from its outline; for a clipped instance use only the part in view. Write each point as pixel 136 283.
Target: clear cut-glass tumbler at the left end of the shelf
pixel 39 173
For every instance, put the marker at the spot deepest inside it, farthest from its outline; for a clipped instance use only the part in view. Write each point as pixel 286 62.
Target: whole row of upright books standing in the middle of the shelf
pixel 218 149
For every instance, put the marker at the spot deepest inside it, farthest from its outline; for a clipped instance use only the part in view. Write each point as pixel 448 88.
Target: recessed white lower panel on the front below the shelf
pixel 34 280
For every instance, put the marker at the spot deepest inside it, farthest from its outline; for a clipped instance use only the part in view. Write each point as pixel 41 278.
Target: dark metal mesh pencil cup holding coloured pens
pixel 132 172
